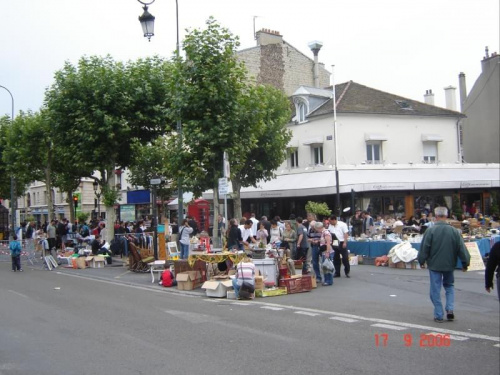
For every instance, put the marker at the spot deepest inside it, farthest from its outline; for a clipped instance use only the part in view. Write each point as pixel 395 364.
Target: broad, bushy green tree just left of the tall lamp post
pixel 99 107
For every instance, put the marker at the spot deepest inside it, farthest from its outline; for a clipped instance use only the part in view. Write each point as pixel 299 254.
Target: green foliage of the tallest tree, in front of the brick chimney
pixel 208 85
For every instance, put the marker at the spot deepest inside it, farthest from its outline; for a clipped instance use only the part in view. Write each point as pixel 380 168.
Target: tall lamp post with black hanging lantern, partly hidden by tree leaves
pixel 147 23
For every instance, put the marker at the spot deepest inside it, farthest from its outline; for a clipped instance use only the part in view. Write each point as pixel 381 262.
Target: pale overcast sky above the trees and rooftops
pixel 400 46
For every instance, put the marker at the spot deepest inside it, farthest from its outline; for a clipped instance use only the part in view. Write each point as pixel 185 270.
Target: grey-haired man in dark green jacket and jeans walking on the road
pixel 441 246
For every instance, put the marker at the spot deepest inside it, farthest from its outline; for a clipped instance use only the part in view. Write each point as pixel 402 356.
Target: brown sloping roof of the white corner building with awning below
pixel 353 97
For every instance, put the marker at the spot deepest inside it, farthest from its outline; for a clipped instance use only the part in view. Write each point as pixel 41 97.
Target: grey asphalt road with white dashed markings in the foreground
pixel 110 321
